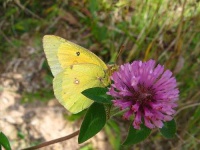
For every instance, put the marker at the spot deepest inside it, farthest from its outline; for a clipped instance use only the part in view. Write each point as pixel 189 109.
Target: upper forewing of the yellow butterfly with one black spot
pixel 61 53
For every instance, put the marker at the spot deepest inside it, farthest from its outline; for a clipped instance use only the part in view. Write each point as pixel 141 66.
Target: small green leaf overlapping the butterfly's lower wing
pixel 98 94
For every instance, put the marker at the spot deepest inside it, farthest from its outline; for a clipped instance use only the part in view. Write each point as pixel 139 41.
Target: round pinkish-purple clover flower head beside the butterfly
pixel 146 91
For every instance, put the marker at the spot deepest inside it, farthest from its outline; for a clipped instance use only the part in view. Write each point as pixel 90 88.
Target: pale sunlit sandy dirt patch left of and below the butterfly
pixel 28 124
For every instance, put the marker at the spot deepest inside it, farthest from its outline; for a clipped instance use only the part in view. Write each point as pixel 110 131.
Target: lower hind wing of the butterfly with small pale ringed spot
pixel 70 82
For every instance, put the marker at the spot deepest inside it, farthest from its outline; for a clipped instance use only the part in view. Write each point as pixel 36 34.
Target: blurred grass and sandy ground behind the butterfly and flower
pixel 165 30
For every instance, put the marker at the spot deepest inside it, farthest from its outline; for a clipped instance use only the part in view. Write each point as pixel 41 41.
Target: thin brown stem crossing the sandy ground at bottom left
pixel 53 141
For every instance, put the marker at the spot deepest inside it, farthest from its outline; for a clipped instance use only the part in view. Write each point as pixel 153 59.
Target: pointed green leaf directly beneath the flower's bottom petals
pixel 136 136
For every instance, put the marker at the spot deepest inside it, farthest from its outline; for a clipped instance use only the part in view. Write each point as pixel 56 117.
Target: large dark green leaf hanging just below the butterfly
pixel 93 122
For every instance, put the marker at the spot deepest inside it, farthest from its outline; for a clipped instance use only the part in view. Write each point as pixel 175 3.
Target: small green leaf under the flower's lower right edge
pixel 169 129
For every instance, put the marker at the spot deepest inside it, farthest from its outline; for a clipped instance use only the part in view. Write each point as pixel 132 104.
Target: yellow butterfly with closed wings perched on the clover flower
pixel 75 69
